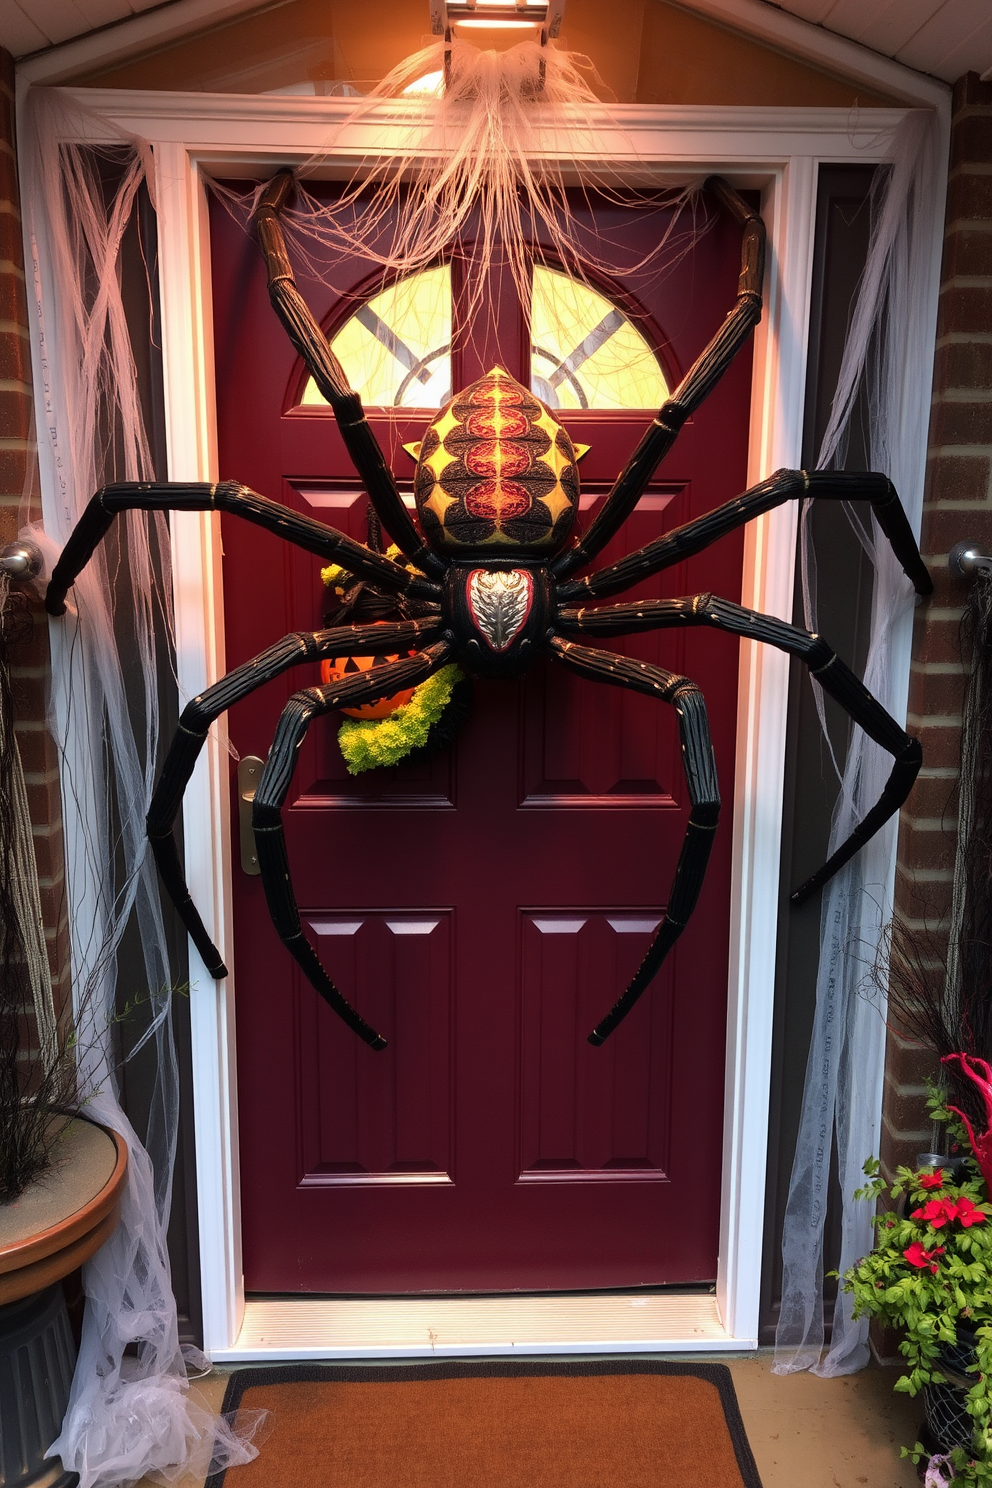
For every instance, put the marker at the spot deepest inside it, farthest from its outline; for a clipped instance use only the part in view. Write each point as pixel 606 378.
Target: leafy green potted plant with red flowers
pixel 930 1276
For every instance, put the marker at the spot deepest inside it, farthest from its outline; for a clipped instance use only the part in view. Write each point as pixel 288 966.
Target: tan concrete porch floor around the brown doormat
pixel 817 1434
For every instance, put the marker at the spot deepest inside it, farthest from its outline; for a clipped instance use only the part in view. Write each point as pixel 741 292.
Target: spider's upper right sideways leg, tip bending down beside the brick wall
pixel 785 486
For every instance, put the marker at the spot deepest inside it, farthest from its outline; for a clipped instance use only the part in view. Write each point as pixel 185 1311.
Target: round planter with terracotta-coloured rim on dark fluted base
pixel 59 1222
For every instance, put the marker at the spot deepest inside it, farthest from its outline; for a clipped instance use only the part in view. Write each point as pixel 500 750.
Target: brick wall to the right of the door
pixel 959 505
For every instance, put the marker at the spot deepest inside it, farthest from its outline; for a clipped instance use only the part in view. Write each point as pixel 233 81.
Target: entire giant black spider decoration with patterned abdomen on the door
pixel 492 574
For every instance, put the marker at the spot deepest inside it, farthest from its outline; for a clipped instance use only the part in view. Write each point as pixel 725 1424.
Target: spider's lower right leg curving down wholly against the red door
pixel 704 795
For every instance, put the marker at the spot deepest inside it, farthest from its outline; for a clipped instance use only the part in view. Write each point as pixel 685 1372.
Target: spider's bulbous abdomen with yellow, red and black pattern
pixel 496 471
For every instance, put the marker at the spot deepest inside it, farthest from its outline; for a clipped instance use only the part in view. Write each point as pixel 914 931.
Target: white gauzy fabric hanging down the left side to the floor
pixel 130 1411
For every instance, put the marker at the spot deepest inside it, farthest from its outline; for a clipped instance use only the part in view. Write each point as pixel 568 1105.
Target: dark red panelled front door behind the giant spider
pixel 484 911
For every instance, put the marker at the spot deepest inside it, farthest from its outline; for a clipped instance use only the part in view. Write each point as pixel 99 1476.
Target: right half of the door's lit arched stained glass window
pixel 585 352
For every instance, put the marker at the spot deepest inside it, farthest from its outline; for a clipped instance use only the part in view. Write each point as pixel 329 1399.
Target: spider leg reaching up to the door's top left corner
pixel 331 379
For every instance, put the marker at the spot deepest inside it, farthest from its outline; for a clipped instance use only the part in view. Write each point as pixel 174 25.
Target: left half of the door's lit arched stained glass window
pixel 396 349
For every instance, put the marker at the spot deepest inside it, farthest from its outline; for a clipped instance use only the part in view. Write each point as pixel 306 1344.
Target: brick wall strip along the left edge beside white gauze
pixel 29 645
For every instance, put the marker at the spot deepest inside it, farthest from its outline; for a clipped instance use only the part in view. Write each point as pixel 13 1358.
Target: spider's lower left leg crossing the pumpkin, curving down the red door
pixel 267 813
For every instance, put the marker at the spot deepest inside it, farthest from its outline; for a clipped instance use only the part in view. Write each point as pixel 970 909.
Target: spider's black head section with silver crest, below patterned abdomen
pixel 497 617
